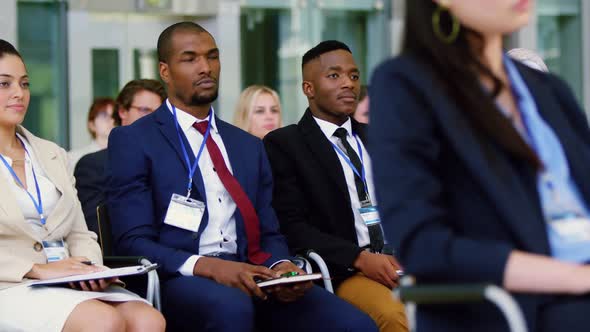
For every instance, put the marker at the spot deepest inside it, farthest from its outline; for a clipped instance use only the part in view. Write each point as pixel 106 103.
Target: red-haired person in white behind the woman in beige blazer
pixel 100 123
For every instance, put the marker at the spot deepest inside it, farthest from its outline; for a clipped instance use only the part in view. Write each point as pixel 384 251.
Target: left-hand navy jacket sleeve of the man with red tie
pixel 130 203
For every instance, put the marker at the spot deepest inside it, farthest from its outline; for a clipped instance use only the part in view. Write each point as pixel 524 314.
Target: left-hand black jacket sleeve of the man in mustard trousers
pixel 292 208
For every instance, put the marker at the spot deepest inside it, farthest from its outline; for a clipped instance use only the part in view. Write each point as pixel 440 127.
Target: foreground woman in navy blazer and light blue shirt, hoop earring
pixel 480 165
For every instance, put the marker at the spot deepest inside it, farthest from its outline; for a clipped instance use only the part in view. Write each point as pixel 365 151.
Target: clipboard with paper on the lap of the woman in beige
pixel 110 273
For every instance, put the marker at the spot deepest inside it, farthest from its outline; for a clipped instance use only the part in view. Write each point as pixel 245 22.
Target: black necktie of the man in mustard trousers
pixel 375 231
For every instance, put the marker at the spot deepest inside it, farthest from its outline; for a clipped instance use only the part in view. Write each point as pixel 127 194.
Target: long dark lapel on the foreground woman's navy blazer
pixel 496 173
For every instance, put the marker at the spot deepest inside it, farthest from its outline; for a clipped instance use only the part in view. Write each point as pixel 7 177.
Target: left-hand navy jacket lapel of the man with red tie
pixel 167 127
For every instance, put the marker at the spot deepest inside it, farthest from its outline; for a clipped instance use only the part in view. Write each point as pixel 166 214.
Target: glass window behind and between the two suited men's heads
pixel 275 38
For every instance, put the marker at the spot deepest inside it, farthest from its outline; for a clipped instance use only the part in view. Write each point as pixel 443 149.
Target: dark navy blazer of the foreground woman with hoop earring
pixel 455 205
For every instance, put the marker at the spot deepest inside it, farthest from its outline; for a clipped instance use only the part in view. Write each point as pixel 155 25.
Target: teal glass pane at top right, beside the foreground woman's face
pixel 559 29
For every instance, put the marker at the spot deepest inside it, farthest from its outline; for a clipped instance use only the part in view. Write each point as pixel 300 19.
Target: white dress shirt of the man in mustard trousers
pixel 328 129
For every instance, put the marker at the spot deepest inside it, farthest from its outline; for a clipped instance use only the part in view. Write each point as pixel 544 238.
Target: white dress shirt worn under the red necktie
pixel 220 234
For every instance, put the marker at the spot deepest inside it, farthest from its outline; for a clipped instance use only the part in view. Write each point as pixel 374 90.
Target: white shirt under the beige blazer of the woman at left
pixel 49 193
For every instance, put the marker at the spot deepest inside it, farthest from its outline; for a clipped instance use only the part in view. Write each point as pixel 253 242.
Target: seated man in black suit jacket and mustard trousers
pixel 324 194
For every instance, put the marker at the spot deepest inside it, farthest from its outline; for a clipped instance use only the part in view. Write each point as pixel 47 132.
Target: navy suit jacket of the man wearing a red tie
pixel 146 166
